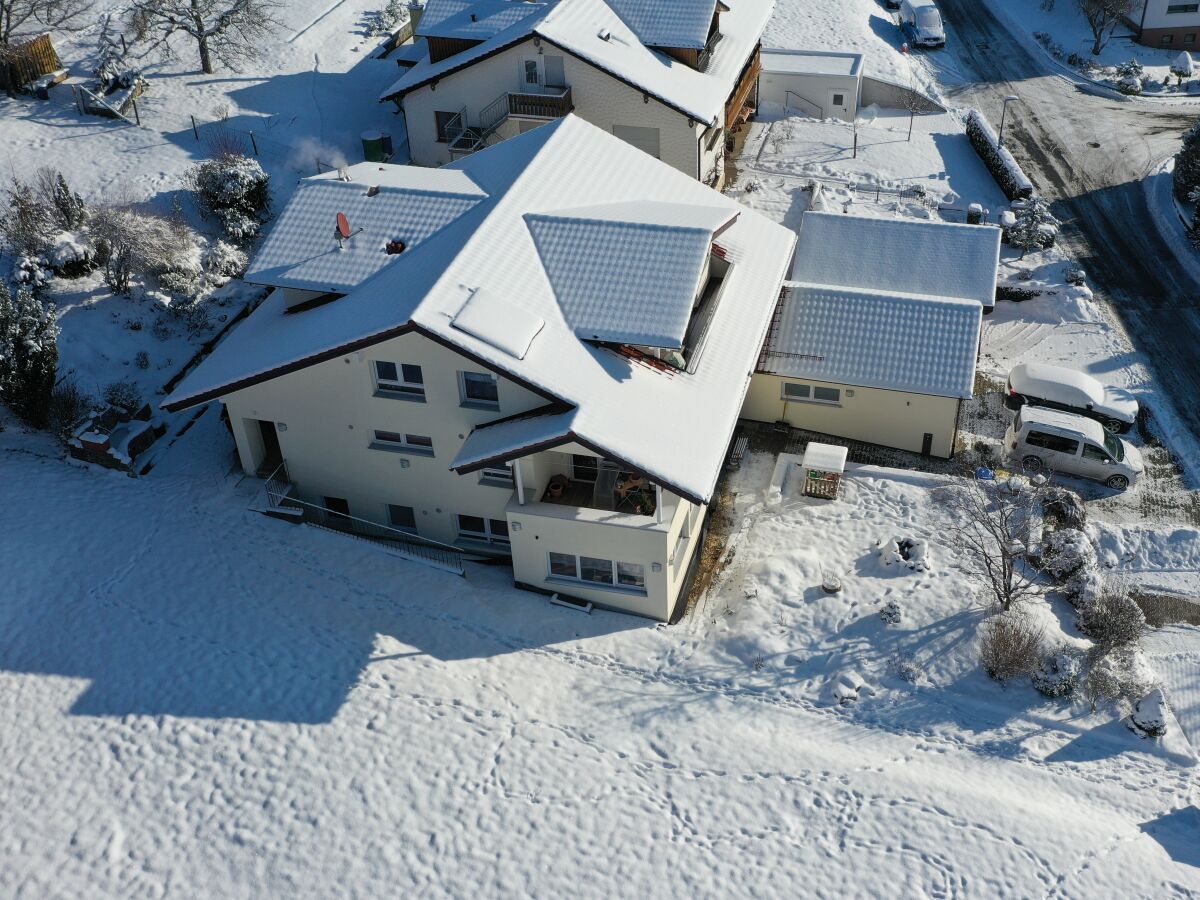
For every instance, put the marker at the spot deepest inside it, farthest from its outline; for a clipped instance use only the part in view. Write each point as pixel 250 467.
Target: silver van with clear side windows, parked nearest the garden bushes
pixel 1046 440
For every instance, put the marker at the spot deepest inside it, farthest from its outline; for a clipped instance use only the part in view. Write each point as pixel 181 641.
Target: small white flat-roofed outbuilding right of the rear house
pixel 814 83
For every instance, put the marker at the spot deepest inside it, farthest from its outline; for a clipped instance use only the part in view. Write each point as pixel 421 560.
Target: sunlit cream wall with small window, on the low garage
pixel 878 417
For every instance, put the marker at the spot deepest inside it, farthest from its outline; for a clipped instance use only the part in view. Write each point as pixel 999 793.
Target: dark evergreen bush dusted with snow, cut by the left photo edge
pixel 29 355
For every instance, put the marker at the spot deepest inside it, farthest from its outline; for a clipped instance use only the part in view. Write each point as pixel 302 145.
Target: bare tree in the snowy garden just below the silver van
pixel 992 531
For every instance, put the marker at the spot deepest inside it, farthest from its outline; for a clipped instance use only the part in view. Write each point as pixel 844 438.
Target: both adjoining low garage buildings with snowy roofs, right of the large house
pixel 878 333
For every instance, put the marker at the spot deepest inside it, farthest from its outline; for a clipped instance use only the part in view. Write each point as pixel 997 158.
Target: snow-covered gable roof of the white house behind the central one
pixel 595 32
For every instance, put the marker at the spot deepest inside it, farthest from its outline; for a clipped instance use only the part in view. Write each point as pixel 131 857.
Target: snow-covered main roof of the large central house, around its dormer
pixel 673 427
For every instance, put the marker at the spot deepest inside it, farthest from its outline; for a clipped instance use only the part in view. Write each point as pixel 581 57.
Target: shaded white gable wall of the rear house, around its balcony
pixel 599 98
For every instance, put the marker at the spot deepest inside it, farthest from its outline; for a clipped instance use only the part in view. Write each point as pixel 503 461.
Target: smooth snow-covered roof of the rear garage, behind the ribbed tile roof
pixel 905 256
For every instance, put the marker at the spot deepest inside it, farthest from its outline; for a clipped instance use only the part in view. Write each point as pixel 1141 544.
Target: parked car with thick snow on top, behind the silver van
pixel 1071 392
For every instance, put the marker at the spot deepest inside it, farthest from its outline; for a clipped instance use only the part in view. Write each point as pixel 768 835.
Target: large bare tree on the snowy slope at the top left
pixel 227 31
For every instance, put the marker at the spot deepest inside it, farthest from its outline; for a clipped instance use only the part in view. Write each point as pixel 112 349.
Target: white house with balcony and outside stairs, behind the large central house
pixel 671 79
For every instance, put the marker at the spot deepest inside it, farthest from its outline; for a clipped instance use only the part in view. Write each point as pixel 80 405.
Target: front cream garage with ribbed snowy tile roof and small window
pixel 869 365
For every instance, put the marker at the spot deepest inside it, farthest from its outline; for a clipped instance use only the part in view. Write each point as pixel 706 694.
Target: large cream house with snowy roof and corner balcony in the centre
pixel 539 351
